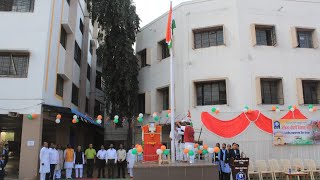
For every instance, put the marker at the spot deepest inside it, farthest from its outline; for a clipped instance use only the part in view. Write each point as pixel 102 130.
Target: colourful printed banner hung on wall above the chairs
pixel 296 132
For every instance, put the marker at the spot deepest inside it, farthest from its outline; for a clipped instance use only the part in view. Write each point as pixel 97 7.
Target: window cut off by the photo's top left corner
pixel 17 5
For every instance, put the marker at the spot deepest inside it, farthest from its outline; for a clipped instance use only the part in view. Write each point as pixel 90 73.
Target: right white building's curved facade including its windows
pixel 229 54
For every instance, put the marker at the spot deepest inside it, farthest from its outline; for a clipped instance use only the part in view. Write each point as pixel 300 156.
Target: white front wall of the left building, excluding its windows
pixel 20 32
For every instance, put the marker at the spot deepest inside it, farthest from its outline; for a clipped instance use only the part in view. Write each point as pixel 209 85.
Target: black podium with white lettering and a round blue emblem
pixel 239 168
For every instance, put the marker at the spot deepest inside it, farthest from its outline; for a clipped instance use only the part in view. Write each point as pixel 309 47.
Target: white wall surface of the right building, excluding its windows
pixel 238 61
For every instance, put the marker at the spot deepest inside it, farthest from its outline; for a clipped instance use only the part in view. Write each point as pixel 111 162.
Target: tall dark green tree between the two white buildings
pixel 119 23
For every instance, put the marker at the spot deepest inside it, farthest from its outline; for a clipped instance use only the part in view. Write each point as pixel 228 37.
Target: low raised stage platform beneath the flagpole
pixel 200 170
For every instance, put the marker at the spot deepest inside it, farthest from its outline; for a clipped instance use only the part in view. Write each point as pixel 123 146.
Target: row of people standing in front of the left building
pixel 54 159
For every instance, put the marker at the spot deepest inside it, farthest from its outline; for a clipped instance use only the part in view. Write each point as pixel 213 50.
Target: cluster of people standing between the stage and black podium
pixel 223 159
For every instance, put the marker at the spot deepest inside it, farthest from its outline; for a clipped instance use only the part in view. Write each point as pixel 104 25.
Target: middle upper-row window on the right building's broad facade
pixel 265 35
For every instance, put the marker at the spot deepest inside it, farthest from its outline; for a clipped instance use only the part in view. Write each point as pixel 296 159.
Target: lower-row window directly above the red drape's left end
pixel 211 93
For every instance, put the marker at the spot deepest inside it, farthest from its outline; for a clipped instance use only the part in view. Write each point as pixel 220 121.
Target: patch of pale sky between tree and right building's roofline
pixel 148 10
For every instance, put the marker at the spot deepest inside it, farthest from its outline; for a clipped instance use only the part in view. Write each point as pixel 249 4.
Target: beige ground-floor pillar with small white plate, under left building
pixel 30 147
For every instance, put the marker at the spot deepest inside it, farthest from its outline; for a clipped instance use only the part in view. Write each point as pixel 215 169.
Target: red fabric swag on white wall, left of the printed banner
pixel 234 127
